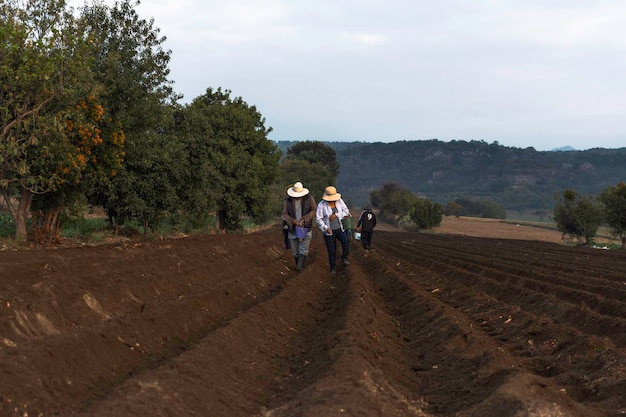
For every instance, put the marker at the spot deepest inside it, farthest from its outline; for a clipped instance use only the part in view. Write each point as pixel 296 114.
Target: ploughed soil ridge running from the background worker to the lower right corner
pixel 587 367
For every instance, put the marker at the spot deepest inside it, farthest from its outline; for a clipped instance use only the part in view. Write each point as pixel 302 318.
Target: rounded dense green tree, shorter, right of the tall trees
pixel 232 160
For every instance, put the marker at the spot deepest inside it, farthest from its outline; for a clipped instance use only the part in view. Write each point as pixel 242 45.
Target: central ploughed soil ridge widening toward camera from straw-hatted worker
pixel 370 372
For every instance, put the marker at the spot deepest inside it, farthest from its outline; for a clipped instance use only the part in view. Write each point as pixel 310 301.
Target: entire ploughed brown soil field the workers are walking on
pixel 428 324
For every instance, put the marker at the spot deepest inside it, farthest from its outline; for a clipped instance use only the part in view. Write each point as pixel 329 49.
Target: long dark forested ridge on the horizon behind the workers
pixel 519 179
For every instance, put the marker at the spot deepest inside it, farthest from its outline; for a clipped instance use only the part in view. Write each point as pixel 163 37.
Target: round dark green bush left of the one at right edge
pixel 577 216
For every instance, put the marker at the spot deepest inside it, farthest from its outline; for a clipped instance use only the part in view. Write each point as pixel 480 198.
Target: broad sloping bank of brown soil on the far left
pixel 138 326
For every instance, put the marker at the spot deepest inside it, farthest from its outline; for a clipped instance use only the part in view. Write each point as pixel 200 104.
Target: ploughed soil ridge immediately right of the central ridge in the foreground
pixel 459 369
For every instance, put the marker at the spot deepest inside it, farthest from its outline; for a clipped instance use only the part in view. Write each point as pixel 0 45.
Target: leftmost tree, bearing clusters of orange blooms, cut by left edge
pixel 51 117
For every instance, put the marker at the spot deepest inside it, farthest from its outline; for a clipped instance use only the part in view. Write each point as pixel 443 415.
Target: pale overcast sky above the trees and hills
pixel 545 74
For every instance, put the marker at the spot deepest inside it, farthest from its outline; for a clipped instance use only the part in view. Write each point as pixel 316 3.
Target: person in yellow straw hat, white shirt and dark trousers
pixel 330 211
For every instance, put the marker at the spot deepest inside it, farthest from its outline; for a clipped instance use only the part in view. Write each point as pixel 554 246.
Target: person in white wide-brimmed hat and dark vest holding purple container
pixel 298 211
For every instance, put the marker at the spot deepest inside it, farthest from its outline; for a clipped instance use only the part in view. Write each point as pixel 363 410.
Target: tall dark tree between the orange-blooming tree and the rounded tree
pixel 132 66
